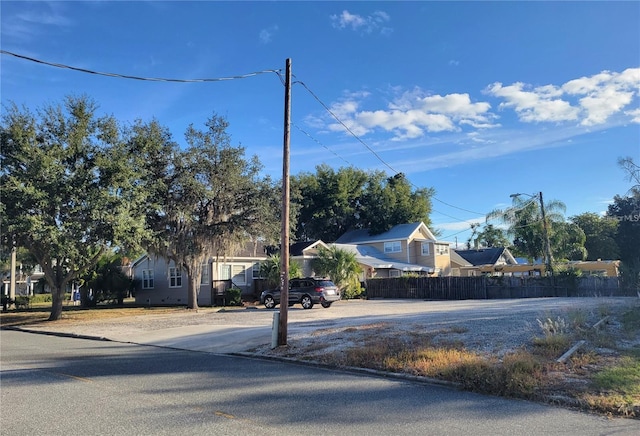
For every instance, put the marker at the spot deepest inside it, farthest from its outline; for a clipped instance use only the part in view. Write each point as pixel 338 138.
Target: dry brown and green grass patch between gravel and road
pixel 606 383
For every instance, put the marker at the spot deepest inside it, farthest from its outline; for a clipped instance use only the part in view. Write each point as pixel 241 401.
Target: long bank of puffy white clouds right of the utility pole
pixel 410 114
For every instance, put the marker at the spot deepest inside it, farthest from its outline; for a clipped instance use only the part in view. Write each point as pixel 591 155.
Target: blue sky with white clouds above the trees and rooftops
pixel 478 100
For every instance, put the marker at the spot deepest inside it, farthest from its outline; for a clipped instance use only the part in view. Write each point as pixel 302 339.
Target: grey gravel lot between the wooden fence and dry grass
pixel 487 327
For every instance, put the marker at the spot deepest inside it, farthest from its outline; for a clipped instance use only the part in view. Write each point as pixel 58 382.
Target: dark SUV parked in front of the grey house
pixel 307 291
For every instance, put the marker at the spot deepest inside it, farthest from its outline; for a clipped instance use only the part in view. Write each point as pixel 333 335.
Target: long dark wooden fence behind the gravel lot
pixel 466 288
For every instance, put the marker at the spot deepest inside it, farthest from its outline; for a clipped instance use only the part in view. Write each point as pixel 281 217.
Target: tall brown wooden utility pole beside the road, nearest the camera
pixel 284 244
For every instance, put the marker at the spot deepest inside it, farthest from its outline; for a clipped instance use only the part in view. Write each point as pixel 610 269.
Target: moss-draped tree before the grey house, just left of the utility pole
pixel 207 198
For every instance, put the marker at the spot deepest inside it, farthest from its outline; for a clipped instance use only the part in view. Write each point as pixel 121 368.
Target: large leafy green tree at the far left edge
pixel 65 191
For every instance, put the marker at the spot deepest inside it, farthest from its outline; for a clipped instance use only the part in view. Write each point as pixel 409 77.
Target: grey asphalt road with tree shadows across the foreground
pixel 67 386
